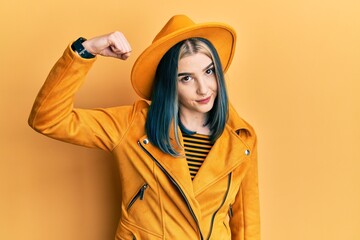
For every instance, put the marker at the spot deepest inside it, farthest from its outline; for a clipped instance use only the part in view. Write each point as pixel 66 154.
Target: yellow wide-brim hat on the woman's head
pixel 177 29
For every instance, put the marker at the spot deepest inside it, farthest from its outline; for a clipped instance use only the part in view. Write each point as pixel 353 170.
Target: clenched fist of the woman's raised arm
pixel 110 45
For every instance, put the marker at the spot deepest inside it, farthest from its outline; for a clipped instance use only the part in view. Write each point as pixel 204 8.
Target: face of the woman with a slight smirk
pixel 197 85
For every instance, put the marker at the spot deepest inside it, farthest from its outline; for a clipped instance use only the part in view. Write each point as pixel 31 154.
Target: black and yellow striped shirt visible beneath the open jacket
pixel 197 147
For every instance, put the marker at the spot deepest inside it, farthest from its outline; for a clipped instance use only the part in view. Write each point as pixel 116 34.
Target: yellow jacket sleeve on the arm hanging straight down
pixel 245 222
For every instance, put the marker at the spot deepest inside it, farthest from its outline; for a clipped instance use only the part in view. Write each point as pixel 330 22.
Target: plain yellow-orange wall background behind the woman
pixel 295 77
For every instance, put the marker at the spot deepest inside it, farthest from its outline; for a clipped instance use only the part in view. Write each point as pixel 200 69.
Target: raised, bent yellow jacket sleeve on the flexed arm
pixel 53 113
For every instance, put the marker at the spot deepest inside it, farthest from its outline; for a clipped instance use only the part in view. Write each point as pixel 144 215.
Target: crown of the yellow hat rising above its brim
pixel 175 23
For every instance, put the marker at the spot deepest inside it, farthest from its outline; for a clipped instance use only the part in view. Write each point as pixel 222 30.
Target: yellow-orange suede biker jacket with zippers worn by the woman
pixel 159 199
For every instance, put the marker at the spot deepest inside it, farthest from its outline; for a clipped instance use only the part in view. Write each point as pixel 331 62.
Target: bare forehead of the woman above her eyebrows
pixel 194 62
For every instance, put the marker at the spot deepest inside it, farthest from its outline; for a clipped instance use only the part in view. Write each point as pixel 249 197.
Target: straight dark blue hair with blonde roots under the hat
pixel 164 108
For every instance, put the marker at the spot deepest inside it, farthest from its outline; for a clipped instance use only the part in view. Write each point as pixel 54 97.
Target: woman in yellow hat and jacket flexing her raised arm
pixel 187 162
